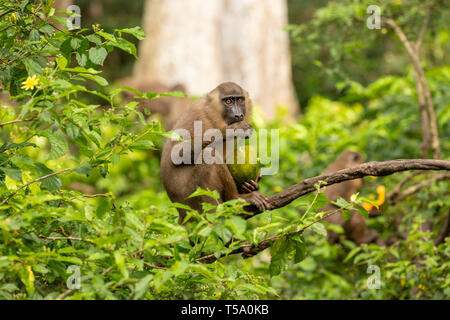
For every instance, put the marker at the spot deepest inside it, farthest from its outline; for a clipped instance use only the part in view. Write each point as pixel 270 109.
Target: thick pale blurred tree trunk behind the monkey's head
pixel 203 43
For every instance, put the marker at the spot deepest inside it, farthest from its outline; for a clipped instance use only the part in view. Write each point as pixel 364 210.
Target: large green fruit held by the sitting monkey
pixel 246 171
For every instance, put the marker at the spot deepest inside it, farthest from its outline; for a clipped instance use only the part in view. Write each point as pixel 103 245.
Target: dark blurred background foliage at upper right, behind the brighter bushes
pixel 331 43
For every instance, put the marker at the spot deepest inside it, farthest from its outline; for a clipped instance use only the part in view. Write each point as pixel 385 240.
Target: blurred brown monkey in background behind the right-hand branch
pixel 355 228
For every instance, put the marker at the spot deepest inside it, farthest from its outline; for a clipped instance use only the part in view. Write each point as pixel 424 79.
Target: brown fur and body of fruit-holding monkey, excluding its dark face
pixel 182 180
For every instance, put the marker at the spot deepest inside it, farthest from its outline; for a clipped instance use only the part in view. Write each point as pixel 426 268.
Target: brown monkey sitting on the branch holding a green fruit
pixel 226 107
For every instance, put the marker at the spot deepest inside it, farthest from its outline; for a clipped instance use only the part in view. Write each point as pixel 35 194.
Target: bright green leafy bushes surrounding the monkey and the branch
pixel 79 186
